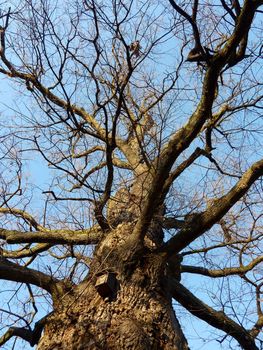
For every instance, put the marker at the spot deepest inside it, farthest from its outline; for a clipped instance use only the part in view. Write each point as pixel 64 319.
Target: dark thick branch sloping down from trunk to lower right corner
pixel 217 319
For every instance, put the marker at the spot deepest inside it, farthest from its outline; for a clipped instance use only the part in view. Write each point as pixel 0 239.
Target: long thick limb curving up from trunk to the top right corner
pixel 182 139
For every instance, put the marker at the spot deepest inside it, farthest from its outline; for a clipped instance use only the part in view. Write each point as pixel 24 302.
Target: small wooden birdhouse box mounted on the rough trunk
pixel 107 285
